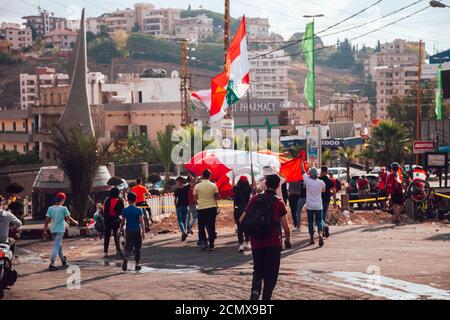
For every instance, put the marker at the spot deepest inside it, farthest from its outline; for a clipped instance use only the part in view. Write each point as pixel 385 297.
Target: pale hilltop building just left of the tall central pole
pixel 196 29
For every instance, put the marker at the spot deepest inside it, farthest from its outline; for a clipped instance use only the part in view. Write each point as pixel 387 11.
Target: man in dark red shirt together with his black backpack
pixel 264 215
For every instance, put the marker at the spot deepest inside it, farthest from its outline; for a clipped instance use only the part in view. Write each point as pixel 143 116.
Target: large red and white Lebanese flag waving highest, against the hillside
pixel 232 84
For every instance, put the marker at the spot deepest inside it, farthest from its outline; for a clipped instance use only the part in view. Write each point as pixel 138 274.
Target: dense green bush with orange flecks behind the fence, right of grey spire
pixel 132 149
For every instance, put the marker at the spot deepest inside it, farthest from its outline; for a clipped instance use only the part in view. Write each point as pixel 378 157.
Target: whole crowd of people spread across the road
pixel 260 214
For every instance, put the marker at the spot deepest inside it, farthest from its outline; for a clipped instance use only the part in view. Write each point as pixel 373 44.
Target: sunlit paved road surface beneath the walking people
pixel 412 262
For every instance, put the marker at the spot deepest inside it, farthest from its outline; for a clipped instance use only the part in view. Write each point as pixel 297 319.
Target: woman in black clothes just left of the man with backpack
pixel 242 192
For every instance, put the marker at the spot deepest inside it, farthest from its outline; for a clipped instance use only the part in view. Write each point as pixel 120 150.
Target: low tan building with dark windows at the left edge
pixel 15 131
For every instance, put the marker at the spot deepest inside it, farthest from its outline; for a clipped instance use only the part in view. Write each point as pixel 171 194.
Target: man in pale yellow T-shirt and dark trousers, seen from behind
pixel 206 194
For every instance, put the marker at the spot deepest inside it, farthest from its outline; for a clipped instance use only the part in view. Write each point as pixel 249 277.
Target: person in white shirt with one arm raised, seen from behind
pixel 314 205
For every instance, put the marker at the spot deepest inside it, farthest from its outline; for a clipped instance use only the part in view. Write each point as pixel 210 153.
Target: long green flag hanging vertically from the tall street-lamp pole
pixel 308 50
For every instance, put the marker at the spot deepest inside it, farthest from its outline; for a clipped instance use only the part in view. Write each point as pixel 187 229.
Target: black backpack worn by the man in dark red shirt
pixel 258 221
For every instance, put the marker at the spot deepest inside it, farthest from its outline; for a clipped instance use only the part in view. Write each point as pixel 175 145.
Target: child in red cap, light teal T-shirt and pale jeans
pixel 57 215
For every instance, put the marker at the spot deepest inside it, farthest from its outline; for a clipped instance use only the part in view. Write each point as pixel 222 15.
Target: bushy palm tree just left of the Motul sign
pixel 389 143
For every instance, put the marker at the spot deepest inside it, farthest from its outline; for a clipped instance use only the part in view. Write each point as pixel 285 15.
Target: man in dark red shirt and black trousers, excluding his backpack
pixel 266 251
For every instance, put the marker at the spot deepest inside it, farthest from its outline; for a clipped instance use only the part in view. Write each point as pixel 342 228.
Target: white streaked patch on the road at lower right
pixel 388 288
